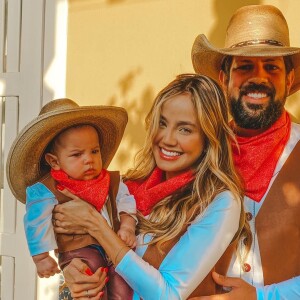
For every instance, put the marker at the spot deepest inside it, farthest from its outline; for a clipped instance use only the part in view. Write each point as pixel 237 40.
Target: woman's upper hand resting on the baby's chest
pixel 74 217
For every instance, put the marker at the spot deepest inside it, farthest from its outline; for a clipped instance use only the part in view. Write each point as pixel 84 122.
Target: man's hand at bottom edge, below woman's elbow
pixel 240 289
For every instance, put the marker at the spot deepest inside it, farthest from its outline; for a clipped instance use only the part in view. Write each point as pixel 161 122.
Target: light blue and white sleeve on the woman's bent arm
pixel 191 259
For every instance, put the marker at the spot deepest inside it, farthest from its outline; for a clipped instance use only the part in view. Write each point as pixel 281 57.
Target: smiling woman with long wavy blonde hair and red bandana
pixel 187 192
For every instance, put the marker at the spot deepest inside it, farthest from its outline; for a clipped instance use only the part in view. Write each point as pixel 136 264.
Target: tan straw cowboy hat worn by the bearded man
pixel 254 30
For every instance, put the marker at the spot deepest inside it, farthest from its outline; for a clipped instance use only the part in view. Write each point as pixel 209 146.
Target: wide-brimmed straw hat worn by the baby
pixel 25 162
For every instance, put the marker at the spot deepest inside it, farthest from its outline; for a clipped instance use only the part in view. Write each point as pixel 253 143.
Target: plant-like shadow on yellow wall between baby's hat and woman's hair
pixel 137 109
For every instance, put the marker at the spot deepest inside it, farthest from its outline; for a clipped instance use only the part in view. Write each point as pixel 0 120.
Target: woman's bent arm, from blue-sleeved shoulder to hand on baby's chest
pixel 185 266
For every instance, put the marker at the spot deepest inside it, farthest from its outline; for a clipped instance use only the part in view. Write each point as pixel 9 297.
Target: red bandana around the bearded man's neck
pixel 257 156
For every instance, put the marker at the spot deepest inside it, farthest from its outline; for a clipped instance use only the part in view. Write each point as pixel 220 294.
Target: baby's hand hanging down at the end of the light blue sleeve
pixel 46 266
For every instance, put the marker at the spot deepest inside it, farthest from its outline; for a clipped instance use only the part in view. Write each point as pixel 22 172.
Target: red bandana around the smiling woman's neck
pixel 149 192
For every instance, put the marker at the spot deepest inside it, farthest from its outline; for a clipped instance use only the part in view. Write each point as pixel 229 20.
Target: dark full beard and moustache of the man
pixel 257 116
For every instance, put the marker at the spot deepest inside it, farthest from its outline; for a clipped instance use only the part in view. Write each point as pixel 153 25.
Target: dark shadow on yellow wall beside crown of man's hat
pixel 223 12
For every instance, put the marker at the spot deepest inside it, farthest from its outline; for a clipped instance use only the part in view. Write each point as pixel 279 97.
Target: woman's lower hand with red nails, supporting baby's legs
pixel 82 283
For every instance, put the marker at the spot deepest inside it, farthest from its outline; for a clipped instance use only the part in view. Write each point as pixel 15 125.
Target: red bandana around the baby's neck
pixel 93 191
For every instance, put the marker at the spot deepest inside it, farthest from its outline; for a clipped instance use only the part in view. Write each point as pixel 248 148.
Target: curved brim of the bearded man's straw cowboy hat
pixel 208 59
